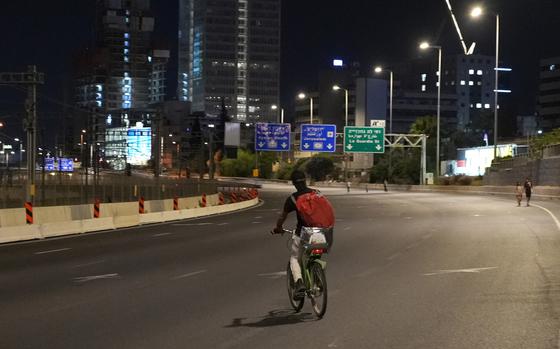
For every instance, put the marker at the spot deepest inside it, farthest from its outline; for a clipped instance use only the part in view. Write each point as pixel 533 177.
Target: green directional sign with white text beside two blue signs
pixel 359 139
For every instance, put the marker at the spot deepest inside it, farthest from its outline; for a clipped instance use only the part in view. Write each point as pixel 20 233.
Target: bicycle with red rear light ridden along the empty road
pixel 313 275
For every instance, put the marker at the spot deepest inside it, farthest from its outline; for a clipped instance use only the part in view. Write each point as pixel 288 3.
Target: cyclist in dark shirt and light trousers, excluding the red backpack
pixel 299 182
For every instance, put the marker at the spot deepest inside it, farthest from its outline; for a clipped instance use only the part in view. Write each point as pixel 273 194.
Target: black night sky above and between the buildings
pixel 50 33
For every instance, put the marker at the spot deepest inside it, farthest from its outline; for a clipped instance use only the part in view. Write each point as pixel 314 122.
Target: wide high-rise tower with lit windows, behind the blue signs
pixel 230 50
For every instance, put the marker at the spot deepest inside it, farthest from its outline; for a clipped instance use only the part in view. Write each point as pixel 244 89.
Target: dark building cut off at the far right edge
pixel 549 93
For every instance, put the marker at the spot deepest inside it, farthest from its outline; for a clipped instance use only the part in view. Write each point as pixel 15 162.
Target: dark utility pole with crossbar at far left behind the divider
pixel 31 79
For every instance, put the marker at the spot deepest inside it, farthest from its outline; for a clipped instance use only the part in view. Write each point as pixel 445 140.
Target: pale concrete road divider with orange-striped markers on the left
pixel 68 220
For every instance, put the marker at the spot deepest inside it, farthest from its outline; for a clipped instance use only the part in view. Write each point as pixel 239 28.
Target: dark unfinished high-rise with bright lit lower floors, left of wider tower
pixel 120 80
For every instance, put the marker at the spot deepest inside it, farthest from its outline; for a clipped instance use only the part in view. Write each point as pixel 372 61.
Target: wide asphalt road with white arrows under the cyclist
pixel 407 270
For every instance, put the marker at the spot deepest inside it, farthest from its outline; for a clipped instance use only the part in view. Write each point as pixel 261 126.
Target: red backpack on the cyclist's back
pixel 315 210
